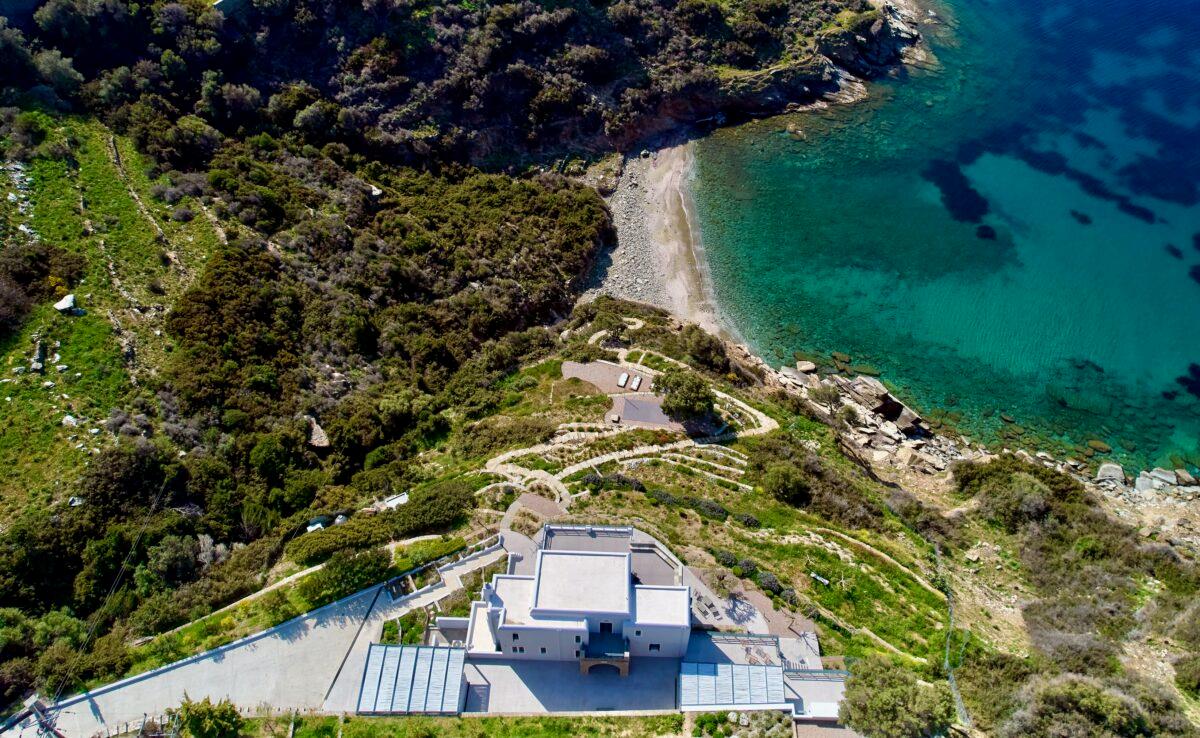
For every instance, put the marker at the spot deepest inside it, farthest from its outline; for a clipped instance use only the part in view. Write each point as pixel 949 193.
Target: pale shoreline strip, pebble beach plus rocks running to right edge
pixel 659 260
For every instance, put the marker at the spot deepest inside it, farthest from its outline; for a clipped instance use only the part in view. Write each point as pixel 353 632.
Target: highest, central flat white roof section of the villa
pixel 583 581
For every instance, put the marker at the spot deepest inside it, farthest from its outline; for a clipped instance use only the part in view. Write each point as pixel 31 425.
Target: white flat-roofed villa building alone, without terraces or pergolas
pixel 580 605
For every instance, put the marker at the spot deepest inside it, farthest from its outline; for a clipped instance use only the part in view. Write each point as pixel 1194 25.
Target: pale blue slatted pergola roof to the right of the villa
pixel 730 685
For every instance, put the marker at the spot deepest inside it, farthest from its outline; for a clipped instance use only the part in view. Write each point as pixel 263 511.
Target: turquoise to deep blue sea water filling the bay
pixel 1015 231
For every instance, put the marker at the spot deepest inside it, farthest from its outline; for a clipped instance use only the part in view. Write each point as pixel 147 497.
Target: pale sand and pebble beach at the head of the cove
pixel 659 256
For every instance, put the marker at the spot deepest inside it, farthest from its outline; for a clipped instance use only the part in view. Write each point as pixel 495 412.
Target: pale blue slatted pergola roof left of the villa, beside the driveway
pixel 406 680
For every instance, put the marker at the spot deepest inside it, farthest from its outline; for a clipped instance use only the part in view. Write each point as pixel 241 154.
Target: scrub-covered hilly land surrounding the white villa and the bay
pixel 285 265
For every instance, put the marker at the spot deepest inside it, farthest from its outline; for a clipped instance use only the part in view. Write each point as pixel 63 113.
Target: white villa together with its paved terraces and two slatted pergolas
pixel 598 619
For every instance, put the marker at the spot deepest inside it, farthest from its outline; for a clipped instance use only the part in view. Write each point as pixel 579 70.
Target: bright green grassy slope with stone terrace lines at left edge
pixel 86 207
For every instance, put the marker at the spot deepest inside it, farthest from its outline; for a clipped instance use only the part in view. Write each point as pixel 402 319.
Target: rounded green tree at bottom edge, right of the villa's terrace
pixel 887 701
